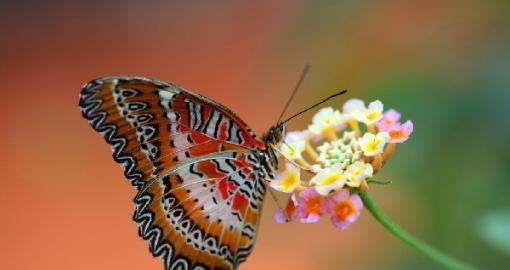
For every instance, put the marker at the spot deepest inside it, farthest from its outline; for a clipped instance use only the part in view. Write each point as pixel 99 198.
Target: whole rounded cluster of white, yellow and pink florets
pixel 342 150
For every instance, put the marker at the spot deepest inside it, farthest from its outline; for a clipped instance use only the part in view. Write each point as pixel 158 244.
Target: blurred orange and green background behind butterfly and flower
pixel 443 64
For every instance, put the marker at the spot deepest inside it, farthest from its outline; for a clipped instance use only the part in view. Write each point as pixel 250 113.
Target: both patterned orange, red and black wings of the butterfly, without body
pixel 194 163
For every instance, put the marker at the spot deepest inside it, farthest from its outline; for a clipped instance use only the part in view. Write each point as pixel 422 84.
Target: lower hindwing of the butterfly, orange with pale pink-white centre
pixel 207 210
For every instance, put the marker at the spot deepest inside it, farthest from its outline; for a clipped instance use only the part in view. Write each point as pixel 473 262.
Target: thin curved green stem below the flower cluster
pixel 434 254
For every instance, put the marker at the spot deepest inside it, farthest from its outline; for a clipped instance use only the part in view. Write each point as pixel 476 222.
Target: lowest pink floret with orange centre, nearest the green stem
pixel 344 208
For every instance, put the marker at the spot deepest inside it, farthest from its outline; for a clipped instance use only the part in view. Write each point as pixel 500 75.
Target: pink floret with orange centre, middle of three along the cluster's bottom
pixel 311 205
